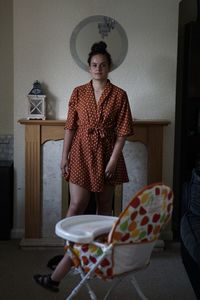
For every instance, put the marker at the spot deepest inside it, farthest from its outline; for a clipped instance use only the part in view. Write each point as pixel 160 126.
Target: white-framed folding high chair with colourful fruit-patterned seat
pixel 110 247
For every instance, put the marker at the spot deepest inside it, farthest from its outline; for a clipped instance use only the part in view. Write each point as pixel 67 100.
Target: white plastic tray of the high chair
pixel 84 228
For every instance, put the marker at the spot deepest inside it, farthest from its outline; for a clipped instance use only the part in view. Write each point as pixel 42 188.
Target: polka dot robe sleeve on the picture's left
pixel 72 116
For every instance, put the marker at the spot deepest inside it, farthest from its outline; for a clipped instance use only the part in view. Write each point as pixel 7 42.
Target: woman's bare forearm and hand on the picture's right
pixel 111 166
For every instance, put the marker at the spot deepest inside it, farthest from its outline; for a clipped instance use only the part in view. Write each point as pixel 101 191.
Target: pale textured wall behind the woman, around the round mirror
pixel 42 30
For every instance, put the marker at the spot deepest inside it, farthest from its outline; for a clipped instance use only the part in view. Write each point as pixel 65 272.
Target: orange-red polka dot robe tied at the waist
pixel 97 125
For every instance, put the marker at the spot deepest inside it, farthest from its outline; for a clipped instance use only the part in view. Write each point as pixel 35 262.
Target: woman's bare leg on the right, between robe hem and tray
pixel 105 200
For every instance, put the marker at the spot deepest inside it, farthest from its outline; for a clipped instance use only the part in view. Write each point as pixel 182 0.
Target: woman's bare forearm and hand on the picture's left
pixel 68 138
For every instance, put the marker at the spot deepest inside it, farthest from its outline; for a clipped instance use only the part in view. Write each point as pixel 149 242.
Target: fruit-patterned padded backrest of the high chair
pixel 145 215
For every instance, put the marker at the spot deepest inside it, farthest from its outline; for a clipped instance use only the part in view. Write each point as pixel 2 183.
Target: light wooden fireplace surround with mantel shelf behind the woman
pixel 37 132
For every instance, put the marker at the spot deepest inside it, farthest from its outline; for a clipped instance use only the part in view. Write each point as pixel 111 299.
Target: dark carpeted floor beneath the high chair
pixel 165 279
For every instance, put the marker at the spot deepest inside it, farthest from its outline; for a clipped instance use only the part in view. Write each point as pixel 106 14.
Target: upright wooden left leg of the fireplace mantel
pixel 32 192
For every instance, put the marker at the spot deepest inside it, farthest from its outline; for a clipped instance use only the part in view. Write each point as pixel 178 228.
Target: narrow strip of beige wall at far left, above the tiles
pixel 6 67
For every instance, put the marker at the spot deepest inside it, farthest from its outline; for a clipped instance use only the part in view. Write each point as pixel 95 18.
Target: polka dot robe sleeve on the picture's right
pixel 125 121
